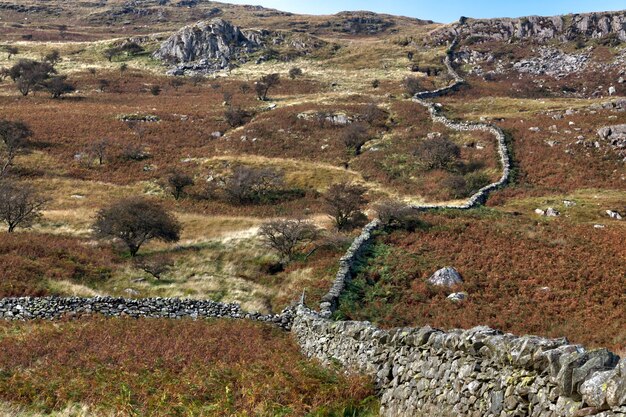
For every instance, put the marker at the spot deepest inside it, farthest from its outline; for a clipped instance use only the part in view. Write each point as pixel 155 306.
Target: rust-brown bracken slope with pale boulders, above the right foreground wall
pixel 521 276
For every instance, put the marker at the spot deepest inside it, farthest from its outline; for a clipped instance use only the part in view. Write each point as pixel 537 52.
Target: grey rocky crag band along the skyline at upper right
pixel 565 28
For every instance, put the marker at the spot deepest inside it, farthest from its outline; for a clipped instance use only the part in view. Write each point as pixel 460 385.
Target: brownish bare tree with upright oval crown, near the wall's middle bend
pixel 344 203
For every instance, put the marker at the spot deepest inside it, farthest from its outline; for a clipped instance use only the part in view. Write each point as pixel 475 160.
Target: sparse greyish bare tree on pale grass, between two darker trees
pixel 287 236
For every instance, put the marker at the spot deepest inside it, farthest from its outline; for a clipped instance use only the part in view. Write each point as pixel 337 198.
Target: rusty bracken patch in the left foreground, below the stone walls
pixel 170 368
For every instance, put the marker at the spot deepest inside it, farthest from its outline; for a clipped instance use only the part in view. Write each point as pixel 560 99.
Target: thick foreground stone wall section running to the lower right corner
pixel 477 372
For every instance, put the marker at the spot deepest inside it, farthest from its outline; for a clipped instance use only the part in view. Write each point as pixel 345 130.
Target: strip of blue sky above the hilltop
pixel 443 11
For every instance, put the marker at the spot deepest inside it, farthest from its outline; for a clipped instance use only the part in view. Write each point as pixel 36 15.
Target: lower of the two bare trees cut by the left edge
pixel 20 205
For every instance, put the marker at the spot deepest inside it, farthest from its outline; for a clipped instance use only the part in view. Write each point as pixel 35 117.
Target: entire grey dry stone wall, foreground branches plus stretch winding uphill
pixel 478 372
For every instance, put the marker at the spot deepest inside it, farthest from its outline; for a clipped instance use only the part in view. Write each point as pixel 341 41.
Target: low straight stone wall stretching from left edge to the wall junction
pixel 48 308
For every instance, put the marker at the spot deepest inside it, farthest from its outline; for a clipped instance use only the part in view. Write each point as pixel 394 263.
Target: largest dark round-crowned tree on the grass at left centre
pixel 135 221
